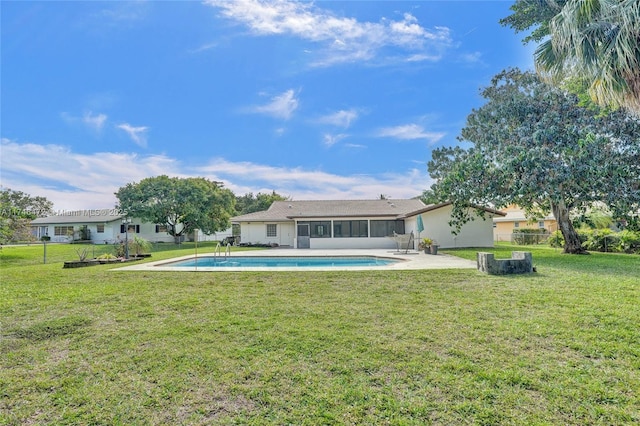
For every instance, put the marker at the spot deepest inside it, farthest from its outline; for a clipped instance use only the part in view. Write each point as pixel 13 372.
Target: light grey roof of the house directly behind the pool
pixel 285 211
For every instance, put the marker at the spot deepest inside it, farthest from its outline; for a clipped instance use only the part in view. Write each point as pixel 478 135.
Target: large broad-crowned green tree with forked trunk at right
pixel 533 146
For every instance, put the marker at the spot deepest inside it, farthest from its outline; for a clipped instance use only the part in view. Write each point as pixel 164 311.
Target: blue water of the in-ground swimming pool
pixel 241 262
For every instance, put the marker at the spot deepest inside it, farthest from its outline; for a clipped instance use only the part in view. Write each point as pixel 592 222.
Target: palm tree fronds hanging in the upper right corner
pixel 596 40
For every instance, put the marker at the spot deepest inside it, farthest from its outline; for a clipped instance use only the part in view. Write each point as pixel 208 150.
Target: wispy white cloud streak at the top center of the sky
pixel 341 39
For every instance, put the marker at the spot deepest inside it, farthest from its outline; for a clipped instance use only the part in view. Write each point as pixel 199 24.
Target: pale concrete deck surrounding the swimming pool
pixel 408 261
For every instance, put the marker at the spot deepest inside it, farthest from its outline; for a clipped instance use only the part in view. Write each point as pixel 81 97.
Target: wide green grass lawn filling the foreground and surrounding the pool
pixel 95 346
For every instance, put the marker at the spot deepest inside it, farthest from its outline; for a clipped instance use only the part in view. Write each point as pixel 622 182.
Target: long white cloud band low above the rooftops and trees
pixel 84 181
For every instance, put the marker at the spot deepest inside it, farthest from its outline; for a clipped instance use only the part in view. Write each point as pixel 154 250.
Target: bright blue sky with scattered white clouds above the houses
pixel 323 100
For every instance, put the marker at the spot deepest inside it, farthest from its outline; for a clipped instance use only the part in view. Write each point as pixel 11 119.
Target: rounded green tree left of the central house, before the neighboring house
pixel 181 204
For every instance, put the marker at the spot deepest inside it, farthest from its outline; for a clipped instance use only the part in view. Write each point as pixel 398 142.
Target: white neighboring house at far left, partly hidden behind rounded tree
pixel 104 226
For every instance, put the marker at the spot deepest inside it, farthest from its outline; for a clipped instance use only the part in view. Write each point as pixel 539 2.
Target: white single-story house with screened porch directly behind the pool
pixel 323 224
